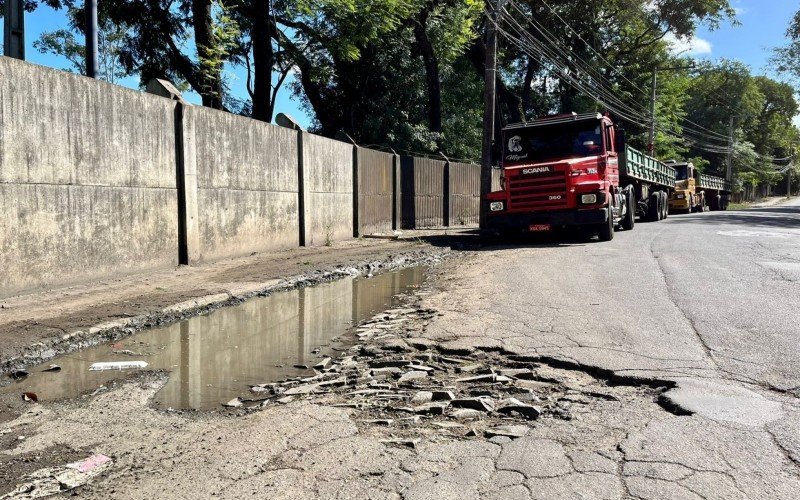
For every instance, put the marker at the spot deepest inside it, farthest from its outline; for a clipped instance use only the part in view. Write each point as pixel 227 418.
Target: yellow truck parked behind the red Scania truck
pixel 696 192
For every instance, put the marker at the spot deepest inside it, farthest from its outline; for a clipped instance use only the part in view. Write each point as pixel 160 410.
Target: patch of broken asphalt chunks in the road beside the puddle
pixel 410 387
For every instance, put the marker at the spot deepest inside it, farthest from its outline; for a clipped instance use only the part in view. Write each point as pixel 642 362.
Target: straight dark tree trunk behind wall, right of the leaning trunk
pixel 263 60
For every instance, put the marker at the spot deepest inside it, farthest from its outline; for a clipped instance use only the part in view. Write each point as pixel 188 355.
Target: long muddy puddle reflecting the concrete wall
pixel 216 357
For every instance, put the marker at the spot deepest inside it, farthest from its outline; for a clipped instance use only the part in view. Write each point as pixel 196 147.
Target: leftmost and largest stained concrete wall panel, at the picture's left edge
pixel 87 179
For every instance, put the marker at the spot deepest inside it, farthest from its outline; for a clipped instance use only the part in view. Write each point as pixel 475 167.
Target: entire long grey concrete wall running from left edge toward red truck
pixel 97 180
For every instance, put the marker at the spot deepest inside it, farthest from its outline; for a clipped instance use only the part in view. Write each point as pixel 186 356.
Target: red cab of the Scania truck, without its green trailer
pixel 558 171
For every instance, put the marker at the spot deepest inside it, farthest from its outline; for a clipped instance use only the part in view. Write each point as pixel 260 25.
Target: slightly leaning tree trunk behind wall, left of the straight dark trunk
pixel 210 66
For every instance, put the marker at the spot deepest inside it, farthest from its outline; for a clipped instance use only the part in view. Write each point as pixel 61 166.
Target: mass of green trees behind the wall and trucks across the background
pixel 408 74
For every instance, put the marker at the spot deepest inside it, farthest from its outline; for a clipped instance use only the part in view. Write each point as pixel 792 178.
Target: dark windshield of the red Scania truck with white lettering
pixel 554 142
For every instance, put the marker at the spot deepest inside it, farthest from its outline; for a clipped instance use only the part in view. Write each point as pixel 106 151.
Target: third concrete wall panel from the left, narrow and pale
pixel 328 189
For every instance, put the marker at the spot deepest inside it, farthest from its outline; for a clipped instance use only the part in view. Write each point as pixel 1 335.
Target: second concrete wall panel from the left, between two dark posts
pixel 247 184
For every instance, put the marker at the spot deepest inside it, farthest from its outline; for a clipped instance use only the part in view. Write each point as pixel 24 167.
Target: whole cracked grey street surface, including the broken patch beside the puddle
pixel 664 365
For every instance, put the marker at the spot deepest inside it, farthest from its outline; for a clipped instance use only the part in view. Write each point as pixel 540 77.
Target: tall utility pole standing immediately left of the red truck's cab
pixel 490 82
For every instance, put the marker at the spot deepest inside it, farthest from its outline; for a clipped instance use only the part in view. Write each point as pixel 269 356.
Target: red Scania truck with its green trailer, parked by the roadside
pixel 575 171
